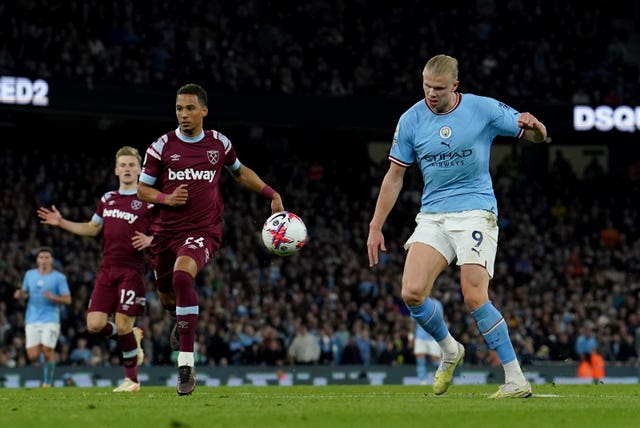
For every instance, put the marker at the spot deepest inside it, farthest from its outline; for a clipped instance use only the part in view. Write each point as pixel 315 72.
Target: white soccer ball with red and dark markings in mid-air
pixel 284 233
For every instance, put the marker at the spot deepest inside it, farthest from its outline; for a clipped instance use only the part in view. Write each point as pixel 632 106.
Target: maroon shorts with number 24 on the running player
pixel 200 246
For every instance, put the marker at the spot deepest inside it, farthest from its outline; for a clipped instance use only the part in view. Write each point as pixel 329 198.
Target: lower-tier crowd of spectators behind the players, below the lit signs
pixel 568 268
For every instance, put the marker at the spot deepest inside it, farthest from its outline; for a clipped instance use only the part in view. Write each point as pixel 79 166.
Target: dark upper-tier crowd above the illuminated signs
pixel 582 54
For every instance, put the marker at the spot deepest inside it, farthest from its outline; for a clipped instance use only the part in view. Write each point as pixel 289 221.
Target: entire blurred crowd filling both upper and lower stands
pixel 568 264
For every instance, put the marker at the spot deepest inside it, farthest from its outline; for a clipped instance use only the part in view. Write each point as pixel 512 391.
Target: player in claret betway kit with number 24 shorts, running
pixel 181 177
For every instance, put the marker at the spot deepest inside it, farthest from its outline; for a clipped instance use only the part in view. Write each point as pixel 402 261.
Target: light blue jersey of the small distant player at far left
pixel 39 308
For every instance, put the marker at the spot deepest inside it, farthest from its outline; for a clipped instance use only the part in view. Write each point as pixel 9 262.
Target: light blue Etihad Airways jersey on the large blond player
pixel 452 150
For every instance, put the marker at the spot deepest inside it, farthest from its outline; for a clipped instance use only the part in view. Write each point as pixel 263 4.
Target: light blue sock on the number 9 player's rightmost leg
pixel 495 331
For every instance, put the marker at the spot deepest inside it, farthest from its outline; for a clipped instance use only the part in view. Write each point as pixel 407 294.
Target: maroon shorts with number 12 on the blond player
pixel 119 289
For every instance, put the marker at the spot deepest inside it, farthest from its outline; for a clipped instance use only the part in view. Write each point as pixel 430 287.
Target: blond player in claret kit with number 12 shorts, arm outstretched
pixel 119 289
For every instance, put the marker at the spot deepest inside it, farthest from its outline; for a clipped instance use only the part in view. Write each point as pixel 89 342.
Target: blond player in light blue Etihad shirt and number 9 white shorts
pixel 449 135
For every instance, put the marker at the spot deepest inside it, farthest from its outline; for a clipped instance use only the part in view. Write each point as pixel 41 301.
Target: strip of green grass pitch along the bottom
pixel 396 406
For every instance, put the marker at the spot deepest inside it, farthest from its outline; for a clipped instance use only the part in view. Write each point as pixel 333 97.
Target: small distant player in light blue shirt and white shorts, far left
pixel 46 289
